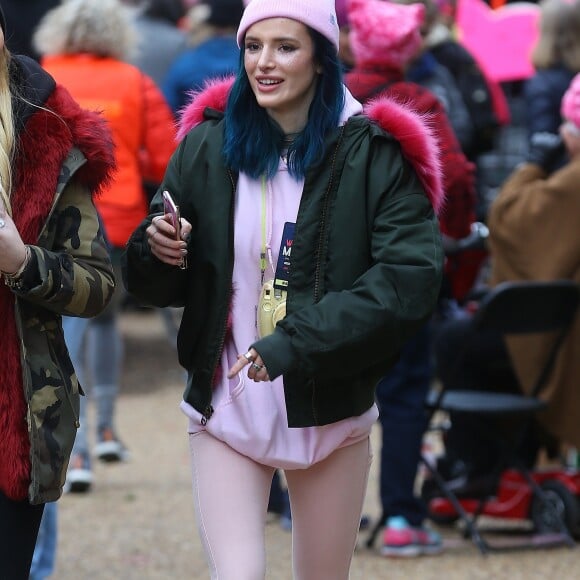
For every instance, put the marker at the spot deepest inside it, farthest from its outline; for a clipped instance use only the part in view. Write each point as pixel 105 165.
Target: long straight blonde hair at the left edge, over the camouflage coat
pixel 7 131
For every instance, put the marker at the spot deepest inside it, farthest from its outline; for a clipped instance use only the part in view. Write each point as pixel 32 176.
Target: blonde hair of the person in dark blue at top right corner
pixel 559 38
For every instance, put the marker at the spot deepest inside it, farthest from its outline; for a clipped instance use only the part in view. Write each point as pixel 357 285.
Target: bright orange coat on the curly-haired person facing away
pixel 142 126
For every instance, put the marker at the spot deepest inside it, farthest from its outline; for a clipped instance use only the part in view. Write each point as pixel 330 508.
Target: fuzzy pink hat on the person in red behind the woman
pixel 383 33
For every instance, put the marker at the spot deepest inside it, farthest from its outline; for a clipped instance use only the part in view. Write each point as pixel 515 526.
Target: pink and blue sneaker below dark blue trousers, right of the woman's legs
pixel 400 539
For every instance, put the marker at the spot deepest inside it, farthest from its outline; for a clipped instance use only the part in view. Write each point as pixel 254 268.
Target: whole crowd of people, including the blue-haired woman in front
pixel 276 127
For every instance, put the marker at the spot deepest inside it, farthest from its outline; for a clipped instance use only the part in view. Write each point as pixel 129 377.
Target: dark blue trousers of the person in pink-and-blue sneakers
pixel 401 399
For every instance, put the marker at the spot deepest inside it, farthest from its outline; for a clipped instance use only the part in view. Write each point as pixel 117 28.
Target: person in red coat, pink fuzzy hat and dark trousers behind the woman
pixel 384 38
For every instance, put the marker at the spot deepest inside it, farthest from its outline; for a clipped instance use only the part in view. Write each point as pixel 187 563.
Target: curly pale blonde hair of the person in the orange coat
pixel 100 27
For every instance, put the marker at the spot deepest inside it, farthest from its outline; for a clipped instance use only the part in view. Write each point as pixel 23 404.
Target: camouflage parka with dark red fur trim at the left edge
pixel 64 156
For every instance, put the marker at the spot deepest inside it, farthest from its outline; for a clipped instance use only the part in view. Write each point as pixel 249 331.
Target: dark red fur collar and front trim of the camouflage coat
pixel 45 142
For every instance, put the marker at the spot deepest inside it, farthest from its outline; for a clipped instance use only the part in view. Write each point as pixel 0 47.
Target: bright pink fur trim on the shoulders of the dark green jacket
pixel 412 130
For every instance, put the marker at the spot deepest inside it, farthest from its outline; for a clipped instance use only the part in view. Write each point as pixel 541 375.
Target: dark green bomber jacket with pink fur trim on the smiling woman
pixel 366 260
